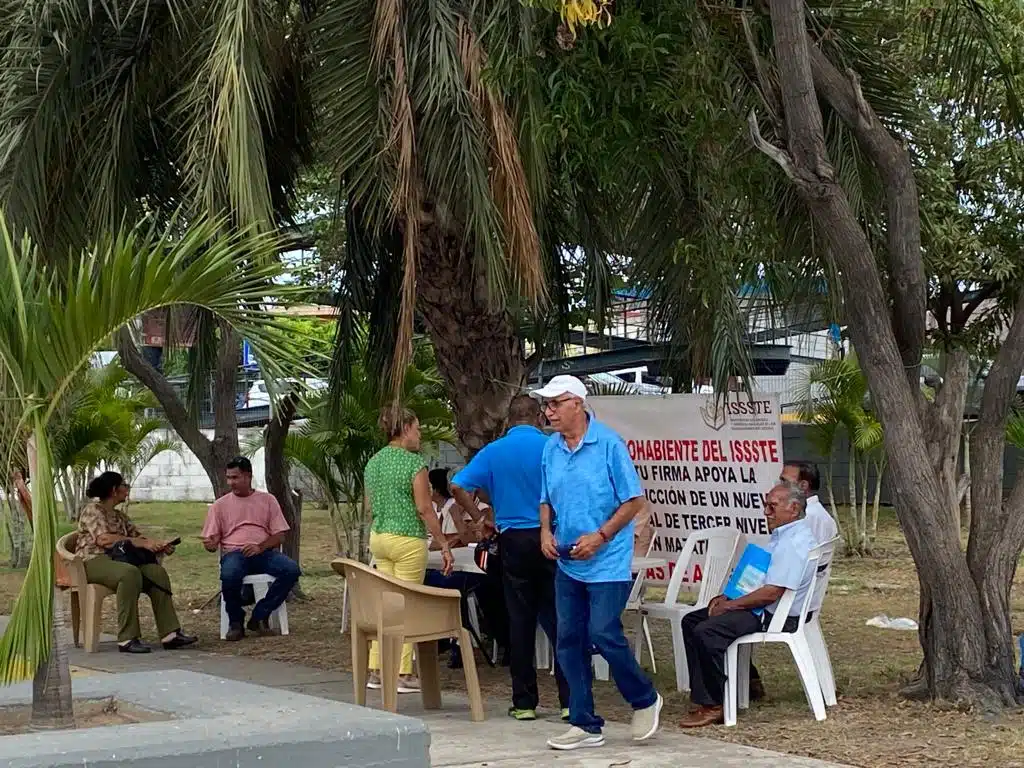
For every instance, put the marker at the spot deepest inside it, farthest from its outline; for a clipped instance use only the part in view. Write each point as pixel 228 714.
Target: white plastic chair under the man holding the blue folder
pixel 808 658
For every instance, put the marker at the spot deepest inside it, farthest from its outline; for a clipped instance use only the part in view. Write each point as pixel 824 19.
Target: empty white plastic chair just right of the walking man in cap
pixel 720 550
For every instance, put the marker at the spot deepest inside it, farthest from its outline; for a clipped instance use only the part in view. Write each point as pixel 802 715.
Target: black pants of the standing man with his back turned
pixel 530 596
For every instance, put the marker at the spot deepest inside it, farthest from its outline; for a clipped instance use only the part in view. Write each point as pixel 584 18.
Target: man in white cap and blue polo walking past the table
pixel 590 493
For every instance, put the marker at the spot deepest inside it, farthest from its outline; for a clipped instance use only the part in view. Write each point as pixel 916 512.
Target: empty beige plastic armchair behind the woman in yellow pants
pixel 395 613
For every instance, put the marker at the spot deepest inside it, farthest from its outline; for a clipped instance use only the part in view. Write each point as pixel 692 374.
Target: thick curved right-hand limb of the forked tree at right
pixel 908 284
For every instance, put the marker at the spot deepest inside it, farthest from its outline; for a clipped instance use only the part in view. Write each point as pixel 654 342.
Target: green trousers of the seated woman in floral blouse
pixel 127 582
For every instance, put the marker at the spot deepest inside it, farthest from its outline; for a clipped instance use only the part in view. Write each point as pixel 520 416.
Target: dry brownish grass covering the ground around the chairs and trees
pixel 872 727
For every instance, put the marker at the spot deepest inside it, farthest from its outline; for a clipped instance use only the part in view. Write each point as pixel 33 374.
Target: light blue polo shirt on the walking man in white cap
pixel 585 488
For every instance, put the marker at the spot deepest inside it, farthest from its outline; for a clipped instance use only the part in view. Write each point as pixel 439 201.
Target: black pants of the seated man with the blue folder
pixel 707 638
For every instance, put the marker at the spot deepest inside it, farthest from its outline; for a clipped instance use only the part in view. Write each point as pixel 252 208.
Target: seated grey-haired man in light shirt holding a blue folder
pixel 757 585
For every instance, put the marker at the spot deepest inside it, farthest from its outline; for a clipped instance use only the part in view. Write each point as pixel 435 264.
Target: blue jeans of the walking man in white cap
pixel 590 616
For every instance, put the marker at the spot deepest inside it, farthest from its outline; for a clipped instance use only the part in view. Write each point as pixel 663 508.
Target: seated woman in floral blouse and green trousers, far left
pixel 102 526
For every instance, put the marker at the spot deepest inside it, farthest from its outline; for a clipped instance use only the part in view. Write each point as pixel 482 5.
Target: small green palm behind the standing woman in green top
pixel 338 439
